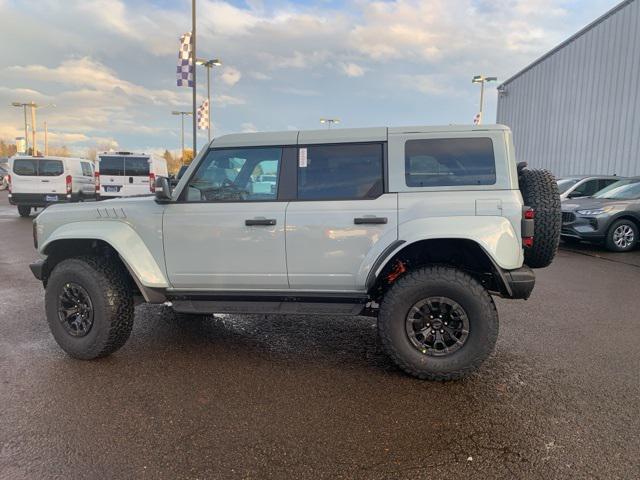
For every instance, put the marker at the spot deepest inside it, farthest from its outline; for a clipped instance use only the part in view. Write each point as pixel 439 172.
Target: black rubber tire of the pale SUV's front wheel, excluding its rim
pixel 110 291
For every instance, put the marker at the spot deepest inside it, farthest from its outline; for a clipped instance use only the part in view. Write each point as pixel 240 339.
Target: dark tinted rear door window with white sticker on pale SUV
pixel 340 172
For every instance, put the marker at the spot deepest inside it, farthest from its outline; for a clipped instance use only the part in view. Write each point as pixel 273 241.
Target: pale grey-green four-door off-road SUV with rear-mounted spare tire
pixel 419 226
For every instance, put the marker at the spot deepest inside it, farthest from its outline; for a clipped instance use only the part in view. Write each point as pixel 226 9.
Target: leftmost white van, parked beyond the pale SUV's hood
pixel 39 181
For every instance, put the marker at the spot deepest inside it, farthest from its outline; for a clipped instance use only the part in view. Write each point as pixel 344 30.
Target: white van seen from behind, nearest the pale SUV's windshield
pixel 123 174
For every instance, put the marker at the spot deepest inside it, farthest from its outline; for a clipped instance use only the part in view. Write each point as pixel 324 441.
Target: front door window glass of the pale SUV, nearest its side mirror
pixel 236 175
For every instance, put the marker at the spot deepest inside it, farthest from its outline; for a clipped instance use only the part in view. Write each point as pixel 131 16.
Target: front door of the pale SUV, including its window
pixel 226 232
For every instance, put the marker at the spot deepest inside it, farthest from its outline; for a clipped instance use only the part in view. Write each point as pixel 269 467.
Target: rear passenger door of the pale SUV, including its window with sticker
pixel 342 219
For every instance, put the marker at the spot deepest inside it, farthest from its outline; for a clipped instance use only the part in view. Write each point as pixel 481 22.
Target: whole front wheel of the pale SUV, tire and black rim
pixel 89 306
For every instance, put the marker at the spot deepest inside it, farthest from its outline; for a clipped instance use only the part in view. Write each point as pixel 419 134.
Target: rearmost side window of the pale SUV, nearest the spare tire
pixel 449 162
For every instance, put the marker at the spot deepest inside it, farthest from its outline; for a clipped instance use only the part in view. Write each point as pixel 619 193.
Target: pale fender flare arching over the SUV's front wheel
pixel 123 239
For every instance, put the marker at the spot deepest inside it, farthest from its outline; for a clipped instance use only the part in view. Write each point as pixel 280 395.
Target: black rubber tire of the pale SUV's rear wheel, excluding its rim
pixel 438 281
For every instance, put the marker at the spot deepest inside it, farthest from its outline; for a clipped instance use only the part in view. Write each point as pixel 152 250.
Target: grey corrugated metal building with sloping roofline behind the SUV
pixel 576 110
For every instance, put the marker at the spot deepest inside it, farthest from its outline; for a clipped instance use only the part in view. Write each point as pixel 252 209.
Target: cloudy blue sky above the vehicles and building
pixel 109 65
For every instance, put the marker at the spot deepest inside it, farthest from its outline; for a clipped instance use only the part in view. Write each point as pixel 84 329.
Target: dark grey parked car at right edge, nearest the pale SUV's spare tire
pixel 612 216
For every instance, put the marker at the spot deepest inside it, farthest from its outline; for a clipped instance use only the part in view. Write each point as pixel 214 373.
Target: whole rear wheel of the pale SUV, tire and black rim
pixel 438 323
